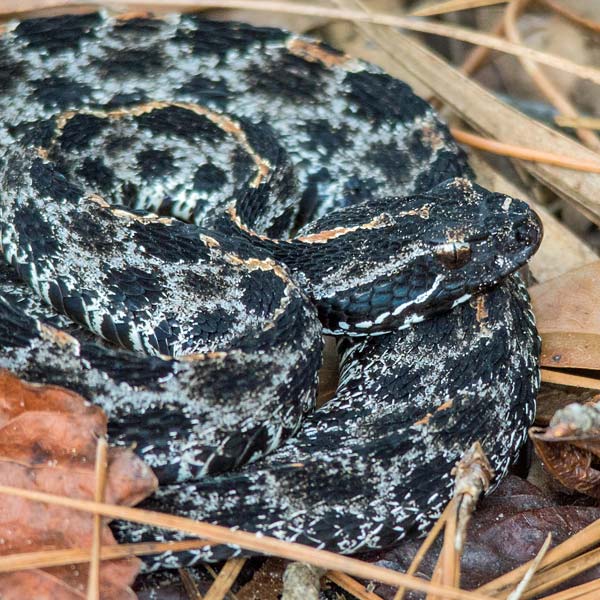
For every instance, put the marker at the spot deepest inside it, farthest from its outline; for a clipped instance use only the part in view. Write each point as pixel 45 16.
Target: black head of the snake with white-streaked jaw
pixel 397 261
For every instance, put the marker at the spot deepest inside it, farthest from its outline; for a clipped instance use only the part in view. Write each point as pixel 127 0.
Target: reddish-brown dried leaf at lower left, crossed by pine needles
pixel 48 438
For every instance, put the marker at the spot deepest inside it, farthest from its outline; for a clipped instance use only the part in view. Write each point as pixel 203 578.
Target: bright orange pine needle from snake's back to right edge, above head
pixel 528 154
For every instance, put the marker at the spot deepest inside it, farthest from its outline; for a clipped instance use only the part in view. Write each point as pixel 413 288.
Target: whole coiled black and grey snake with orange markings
pixel 209 198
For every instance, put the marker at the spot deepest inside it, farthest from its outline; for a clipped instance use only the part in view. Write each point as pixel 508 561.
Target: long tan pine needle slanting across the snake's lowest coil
pixel 249 541
